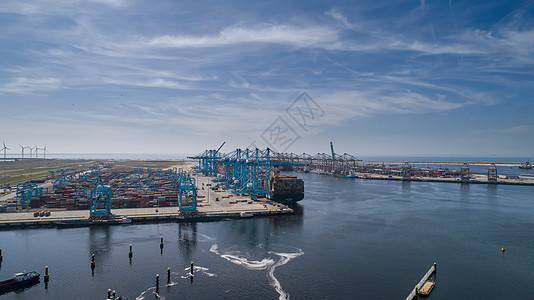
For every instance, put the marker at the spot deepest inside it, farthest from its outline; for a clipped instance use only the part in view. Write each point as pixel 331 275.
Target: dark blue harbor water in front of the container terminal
pixel 348 239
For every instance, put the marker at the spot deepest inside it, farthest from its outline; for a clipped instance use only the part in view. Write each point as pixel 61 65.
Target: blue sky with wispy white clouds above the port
pixel 381 77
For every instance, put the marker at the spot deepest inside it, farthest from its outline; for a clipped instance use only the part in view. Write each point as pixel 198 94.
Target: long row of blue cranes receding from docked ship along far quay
pixel 239 168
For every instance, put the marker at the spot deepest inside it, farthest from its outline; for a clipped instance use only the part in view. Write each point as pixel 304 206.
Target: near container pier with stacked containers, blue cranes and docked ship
pixel 245 187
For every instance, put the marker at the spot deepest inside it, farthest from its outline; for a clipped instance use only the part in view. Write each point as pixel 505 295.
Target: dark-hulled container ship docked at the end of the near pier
pixel 286 188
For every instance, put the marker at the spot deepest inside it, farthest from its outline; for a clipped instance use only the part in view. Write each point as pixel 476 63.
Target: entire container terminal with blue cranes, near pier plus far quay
pixel 241 183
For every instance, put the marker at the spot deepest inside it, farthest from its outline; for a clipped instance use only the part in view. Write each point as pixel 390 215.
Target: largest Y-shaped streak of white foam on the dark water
pixel 266 263
